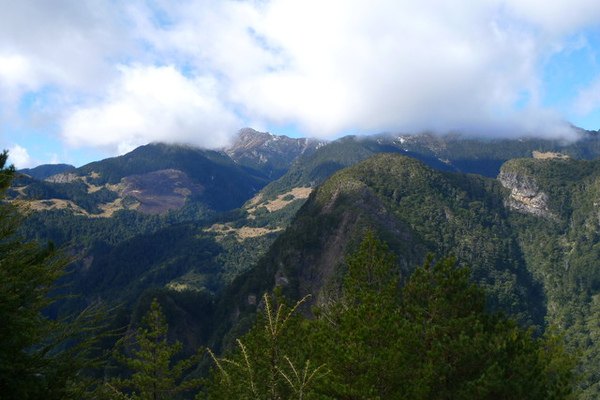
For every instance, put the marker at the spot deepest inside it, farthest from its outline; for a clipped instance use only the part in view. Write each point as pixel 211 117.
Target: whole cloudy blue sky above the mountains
pixel 83 80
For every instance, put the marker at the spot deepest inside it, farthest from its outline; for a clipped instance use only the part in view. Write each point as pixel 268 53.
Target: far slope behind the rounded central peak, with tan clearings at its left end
pixel 262 218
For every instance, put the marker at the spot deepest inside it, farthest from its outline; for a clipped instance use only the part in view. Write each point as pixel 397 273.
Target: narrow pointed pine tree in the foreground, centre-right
pixel 360 335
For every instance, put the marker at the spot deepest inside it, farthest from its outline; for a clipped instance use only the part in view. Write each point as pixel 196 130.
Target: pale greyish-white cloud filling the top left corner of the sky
pixel 64 43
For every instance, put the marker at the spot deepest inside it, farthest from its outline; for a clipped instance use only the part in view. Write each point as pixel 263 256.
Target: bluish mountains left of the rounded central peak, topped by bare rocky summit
pixel 139 221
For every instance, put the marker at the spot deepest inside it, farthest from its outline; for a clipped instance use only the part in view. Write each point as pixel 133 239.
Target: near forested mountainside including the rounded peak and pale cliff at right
pixel 531 238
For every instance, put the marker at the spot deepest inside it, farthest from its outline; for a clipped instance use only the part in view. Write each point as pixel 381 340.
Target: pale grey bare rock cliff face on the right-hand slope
pixel 525 195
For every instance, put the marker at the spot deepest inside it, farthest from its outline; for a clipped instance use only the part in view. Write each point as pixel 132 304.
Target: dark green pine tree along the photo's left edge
pixel 39 357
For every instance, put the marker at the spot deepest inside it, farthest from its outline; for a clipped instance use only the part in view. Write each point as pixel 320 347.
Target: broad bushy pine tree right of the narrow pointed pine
pixel 461 350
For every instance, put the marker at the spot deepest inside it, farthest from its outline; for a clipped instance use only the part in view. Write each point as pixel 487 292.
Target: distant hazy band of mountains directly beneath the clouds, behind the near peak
pixel 268 168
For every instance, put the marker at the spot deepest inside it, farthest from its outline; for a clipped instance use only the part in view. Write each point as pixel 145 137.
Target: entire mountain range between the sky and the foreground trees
pixel 222 227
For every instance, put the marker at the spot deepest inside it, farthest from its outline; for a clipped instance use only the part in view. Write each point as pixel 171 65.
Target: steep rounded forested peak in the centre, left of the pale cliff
pixel 414 208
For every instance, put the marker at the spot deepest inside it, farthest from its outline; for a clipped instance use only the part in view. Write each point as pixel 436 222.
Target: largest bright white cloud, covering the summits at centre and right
pixel 387 65
